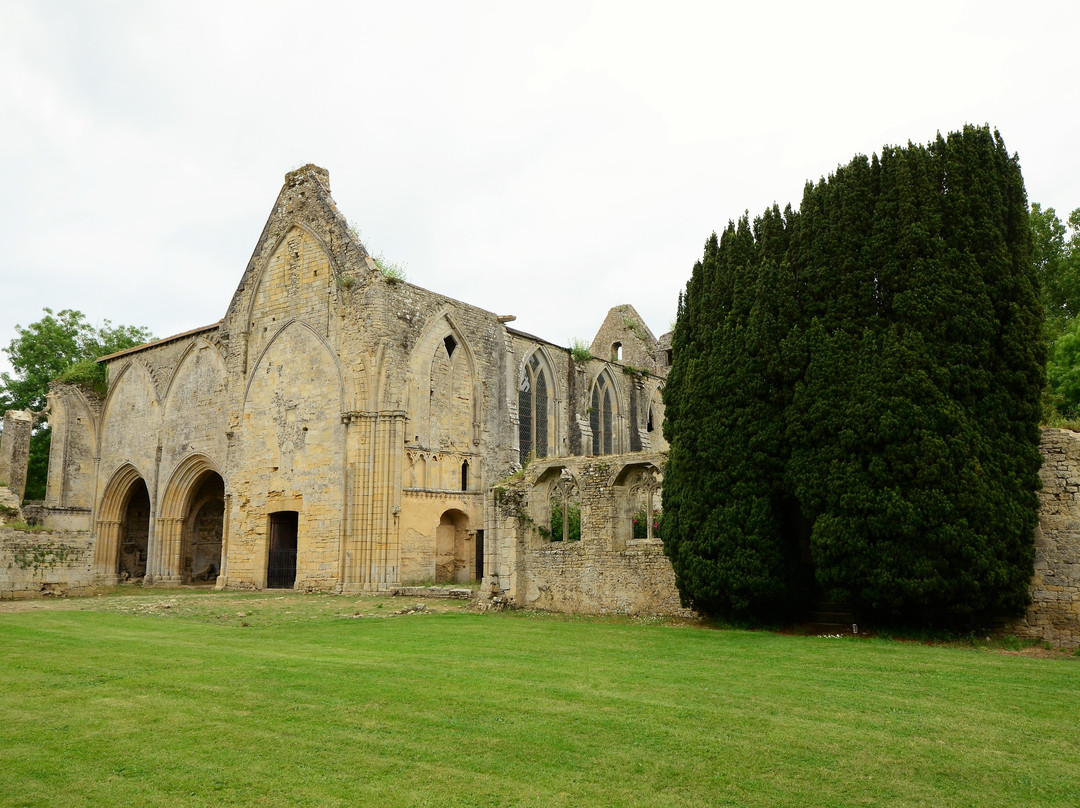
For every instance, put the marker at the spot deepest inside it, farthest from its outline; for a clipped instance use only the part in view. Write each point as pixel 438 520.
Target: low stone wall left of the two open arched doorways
pixel 42 563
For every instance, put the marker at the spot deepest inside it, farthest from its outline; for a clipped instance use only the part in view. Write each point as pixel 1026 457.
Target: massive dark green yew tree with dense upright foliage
pixel 856 397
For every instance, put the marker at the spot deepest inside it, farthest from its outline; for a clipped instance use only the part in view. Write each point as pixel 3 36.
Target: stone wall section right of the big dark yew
pixel 1055 614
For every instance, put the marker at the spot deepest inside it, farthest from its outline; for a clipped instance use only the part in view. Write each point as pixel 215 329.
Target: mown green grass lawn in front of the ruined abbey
pixel 179 697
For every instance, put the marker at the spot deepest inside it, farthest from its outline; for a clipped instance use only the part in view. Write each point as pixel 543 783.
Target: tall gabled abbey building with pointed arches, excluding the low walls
pixel 336 432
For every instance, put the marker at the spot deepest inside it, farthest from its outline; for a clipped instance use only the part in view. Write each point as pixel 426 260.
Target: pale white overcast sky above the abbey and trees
pixel 547 160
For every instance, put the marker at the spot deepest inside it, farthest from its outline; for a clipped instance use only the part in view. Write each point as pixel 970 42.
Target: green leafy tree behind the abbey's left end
pixel 60 346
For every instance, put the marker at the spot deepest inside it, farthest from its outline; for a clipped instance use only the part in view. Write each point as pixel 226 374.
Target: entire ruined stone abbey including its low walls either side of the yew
pixel 341 430
